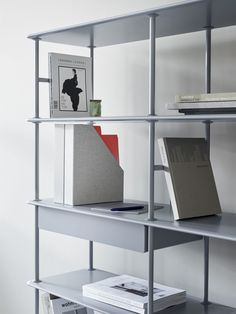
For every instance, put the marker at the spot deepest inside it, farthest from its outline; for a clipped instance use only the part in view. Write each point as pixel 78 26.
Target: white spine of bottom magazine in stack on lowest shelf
pixel 114 302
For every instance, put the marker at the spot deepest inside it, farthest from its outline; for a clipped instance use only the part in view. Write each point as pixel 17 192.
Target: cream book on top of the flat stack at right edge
pixel 206 97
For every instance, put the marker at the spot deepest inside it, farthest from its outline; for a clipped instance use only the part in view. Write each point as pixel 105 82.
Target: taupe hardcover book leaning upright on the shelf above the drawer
pixel 190 179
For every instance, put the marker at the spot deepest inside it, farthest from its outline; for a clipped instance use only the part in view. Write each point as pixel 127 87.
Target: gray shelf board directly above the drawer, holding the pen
pixel 217 226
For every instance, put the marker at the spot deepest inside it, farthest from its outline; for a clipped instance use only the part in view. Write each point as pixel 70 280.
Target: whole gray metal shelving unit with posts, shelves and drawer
pixel 155 229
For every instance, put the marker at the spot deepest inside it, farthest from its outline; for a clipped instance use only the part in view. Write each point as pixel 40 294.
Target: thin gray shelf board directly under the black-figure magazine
pixel 149 118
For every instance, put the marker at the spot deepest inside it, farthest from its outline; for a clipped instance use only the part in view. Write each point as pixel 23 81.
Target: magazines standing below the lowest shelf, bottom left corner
pixel 55 305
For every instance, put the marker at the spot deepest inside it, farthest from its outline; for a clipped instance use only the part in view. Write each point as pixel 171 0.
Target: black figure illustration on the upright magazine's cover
pixel 70 88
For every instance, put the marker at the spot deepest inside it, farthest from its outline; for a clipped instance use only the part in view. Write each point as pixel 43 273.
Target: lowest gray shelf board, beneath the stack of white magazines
pixel 69 286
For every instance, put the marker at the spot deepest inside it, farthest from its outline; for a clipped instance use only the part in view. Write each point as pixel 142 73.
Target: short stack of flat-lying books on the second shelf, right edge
pixel 205 103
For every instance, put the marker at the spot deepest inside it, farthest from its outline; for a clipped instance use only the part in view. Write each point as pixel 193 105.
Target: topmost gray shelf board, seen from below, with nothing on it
pixel 173 19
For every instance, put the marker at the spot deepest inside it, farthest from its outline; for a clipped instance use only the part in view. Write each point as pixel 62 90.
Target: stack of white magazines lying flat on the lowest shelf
pixel 131 293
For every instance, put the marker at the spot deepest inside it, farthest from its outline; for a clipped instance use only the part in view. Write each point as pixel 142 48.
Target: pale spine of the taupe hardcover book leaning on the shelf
pixel 169 181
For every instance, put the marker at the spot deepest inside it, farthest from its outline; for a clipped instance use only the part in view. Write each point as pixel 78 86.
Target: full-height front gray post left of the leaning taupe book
pixel 152 63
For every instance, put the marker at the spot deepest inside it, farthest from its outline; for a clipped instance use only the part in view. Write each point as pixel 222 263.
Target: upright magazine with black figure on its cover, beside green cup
pixel 70 85
